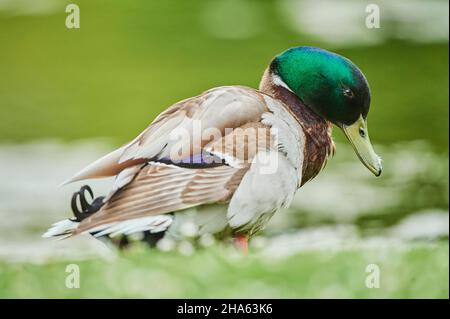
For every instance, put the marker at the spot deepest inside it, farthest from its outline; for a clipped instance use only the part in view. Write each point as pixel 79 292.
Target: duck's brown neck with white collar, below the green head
pixel 319 144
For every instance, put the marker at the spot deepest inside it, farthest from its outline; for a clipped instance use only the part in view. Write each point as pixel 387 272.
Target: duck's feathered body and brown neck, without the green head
pixel 246 153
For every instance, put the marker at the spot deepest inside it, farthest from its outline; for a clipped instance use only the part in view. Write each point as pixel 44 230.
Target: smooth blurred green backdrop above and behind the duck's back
pixel 132 59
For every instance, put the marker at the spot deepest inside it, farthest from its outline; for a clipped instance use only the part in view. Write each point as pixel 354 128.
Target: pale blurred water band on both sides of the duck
pixel 344 207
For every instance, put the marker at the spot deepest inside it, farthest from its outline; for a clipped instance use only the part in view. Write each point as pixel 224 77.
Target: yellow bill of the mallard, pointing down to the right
pixel 358 136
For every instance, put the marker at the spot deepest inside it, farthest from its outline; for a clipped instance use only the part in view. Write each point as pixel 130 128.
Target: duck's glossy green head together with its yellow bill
pixel 334 88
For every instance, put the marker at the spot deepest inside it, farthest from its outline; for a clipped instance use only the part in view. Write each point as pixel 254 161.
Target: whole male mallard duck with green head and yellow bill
pixel 236 153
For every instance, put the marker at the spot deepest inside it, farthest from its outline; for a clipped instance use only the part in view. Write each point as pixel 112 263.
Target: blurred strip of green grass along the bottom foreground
pixel 418 271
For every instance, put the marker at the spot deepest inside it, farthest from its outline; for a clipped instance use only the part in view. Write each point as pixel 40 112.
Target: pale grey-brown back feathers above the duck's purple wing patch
pixel 219 109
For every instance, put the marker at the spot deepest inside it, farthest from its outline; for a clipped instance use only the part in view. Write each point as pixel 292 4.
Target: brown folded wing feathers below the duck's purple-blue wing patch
pixel 160 189
